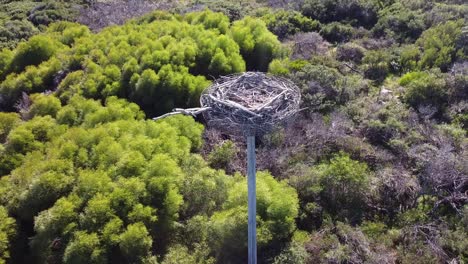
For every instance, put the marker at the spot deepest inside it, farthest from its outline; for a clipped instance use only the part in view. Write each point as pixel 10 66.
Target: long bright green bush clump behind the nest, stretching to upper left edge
pixel 159 64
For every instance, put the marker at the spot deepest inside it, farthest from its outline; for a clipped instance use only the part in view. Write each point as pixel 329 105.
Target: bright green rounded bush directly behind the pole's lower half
pixel 277 207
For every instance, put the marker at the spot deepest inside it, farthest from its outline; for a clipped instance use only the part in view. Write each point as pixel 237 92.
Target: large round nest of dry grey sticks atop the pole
pixel 250 103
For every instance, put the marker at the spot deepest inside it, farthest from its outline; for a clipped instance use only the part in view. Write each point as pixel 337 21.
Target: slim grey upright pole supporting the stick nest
pixel 252 200
